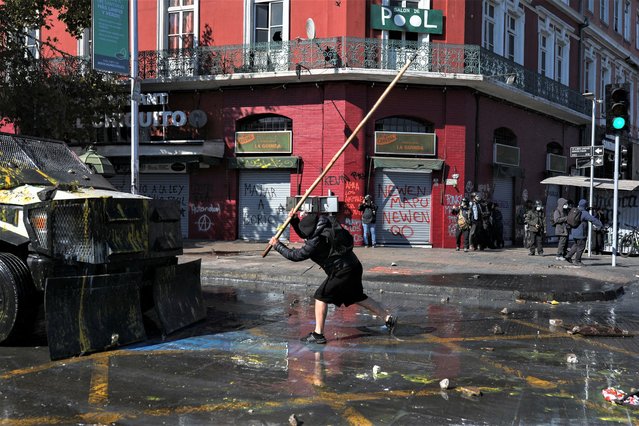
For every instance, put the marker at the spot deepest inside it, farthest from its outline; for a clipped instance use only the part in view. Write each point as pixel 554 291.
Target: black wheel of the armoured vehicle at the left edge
pixel 16 297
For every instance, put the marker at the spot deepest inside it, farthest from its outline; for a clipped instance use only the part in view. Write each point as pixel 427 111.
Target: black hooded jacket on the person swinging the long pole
pixel 316 247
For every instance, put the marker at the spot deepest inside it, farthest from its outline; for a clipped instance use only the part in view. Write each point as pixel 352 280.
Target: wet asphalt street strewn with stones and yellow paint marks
pixel 245 365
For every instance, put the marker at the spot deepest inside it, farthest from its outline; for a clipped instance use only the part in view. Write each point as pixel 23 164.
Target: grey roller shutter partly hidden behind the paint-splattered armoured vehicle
pixel 163 186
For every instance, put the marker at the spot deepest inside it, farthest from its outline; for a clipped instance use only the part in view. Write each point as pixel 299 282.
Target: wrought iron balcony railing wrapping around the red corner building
pixel 354 53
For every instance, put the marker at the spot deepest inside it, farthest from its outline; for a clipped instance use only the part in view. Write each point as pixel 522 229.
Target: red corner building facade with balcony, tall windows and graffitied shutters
pixel 244 103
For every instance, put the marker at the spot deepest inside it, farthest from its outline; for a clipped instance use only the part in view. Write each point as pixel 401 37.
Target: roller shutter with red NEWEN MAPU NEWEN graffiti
pixel 403 198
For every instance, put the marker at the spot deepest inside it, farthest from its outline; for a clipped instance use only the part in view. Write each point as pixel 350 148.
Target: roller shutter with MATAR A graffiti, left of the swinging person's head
pixel 262 203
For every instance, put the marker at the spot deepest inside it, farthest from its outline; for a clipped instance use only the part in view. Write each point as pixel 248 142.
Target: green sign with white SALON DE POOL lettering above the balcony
pixel 409 19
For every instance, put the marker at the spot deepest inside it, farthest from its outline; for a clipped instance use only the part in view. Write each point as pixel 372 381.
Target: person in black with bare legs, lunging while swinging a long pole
pixel 343 284
